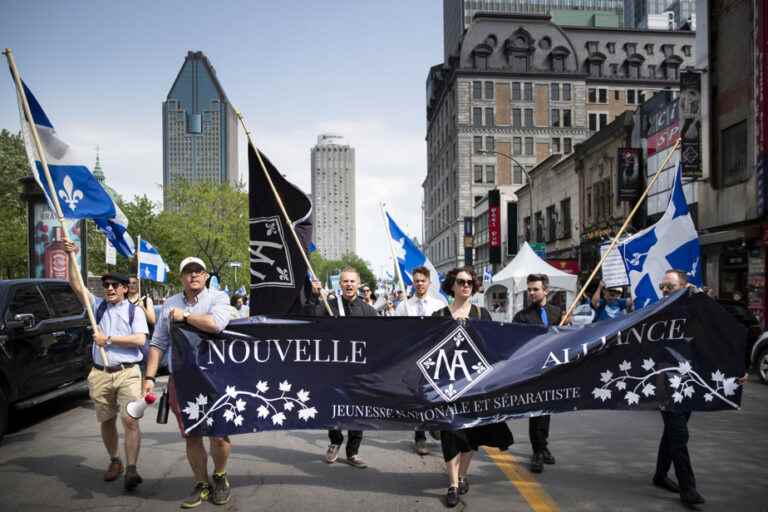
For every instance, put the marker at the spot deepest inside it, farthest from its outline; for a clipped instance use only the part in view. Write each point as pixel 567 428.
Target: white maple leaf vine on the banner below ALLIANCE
pixel 681 378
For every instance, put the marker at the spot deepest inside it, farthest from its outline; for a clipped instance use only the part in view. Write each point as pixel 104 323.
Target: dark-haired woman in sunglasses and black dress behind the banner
pixel 459 445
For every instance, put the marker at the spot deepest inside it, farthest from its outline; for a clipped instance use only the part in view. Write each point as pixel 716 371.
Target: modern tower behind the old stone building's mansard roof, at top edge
pixel 458 14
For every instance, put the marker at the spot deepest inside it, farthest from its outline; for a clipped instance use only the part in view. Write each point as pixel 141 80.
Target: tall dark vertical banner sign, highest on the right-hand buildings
pixel 690 119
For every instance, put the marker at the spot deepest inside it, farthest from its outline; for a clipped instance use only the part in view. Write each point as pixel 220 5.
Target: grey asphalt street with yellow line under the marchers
pixel 53 460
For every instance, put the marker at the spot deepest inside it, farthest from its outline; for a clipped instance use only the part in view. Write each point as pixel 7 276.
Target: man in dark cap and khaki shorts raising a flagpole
pixel 113 384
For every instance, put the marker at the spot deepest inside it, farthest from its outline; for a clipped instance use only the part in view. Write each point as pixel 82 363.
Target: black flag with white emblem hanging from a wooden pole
pixel 279 282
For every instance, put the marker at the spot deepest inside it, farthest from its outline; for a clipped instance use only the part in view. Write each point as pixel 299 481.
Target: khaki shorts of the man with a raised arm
pixel 111 392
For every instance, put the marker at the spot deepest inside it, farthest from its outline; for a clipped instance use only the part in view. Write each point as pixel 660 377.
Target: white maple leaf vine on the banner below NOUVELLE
pixel 234 402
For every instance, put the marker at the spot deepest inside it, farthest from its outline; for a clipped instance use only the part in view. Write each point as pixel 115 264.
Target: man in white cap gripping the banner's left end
pixel 209 311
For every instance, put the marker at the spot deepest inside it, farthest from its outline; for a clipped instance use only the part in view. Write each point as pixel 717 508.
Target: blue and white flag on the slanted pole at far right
pixel 671 243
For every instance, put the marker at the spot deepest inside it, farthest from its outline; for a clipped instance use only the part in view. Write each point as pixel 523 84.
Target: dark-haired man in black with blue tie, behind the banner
pixel 539 312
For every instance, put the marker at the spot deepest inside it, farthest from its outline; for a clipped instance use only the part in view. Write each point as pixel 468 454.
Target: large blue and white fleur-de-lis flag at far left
pixel 80 195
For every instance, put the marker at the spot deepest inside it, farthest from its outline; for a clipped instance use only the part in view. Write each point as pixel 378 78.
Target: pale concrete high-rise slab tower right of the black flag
pixel 333 196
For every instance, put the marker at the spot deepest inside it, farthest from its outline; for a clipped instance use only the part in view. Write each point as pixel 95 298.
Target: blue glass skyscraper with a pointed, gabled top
pixel 199 128
